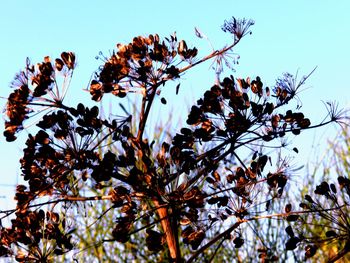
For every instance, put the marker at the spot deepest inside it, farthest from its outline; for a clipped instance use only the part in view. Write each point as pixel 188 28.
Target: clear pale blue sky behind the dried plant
pixel 288 36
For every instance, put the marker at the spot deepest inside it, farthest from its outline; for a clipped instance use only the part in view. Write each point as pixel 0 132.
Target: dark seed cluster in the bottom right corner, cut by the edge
pixel 334 221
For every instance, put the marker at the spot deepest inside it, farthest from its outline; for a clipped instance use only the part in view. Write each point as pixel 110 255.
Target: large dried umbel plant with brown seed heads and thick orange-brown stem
pixel 189 196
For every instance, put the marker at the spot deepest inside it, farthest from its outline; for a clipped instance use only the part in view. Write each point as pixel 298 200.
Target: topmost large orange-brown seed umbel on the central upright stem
pixel 139 65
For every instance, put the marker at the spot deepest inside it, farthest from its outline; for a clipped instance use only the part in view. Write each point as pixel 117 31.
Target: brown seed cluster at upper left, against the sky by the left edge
pixel 35 86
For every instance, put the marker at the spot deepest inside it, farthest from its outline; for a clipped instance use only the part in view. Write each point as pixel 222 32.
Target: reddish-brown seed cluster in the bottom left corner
pixel 34 229
